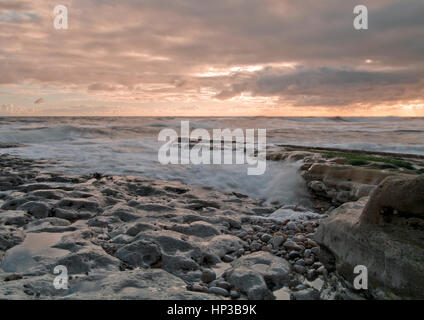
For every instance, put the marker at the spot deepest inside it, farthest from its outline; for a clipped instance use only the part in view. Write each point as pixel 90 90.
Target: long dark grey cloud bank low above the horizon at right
pixel 330 86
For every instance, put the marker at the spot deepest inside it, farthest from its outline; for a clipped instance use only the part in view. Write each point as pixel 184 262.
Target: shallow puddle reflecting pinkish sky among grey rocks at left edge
pixel 22 257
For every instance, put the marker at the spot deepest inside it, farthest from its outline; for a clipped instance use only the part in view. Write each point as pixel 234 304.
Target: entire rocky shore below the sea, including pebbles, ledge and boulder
pixel 134 238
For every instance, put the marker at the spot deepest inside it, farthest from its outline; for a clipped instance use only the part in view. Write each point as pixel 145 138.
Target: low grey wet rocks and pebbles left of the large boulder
pixel 136 238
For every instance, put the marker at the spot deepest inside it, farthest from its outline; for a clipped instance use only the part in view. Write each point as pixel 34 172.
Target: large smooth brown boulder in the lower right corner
pixel 384 233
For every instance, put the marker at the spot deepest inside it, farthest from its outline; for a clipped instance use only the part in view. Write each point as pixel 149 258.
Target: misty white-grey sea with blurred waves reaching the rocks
pixel 129 146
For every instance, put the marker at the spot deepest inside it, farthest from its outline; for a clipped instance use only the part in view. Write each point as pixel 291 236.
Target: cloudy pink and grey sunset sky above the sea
pixel 212 58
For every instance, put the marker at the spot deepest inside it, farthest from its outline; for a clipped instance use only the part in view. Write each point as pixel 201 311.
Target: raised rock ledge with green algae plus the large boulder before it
pixel 375 205
